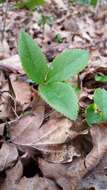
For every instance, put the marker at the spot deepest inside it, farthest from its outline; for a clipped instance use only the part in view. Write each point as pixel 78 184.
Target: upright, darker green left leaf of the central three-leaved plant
pixel 33 60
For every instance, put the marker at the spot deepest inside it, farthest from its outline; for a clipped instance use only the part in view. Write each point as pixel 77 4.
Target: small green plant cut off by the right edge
pixel 97 112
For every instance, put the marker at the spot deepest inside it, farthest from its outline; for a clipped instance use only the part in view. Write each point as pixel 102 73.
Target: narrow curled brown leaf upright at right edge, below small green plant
pixel 99 138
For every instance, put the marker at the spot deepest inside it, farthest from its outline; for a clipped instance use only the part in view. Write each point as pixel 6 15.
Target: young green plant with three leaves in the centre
pixel 51 79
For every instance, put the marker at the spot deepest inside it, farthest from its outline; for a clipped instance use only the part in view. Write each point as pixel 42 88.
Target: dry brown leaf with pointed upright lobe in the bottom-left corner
pixel 14 180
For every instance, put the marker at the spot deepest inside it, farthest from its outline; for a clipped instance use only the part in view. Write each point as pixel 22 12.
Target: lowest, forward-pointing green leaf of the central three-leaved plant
pixel 61 97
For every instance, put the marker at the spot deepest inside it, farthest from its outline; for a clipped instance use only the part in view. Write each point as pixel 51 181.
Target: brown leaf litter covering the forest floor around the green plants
pixel 67 155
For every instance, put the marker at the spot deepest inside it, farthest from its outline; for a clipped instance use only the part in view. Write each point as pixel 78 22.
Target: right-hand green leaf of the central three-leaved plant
pixel 67 64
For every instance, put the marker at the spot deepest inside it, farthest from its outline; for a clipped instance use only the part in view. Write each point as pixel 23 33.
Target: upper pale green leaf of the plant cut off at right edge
pixel 100 99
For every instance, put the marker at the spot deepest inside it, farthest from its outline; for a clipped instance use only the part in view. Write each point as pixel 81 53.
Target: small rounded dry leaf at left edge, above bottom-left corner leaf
pixel 8 156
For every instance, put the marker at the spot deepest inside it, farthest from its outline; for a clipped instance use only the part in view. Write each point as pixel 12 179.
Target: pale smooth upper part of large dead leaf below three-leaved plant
pixel 53 132
